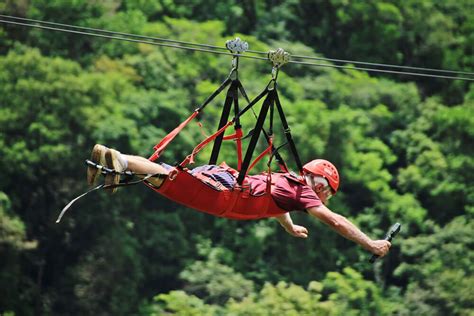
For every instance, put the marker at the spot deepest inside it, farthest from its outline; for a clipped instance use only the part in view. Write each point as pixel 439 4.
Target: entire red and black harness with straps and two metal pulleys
pixel 204 194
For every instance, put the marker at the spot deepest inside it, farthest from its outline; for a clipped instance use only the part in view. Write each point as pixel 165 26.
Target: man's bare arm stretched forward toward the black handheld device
pixel 347 229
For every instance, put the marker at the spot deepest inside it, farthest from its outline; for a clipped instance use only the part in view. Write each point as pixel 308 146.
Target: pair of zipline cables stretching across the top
pixel 212 49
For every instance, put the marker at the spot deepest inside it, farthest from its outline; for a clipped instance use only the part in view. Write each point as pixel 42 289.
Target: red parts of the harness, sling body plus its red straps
pixel 208 197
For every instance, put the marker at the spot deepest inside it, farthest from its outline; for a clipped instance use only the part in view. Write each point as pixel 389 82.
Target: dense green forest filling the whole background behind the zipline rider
pixel 403 145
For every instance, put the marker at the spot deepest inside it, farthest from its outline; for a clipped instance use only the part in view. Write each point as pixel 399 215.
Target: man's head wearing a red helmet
pixel 323 178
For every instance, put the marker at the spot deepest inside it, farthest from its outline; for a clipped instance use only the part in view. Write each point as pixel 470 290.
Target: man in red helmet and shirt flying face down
pixel 310 193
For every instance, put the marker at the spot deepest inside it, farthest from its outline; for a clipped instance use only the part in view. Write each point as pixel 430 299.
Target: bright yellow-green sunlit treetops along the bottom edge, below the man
pixel 339 293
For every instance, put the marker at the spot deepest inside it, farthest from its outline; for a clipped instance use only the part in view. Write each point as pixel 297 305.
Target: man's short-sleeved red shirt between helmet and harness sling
pixel 288 192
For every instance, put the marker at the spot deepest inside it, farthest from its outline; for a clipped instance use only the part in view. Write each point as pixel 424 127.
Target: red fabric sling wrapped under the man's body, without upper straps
pixel 184 188
